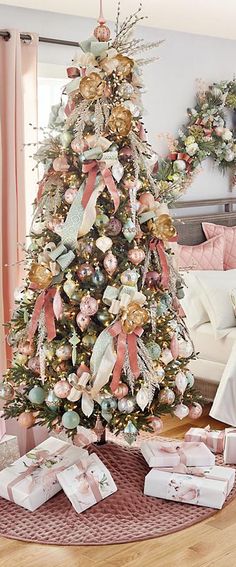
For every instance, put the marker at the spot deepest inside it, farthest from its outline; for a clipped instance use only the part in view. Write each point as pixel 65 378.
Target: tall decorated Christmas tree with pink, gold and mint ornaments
pixel 96 335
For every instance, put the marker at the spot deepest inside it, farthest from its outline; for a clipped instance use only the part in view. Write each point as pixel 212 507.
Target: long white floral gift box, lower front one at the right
pixel 210 489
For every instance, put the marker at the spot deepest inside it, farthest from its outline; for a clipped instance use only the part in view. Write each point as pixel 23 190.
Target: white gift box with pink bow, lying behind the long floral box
pixel 161 453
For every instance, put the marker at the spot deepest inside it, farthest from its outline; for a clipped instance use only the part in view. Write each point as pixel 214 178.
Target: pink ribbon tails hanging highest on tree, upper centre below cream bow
pixel 93 168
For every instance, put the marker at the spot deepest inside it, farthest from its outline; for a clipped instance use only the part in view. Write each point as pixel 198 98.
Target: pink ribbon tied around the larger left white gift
pixel 41 457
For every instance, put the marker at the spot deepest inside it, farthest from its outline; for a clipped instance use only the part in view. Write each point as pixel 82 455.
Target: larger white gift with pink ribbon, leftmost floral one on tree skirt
pixel 31 480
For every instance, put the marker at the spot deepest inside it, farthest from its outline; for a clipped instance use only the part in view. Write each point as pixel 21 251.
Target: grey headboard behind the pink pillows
pixel 190 227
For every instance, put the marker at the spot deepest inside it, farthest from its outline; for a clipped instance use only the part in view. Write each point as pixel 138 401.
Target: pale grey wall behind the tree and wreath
pixel 170 82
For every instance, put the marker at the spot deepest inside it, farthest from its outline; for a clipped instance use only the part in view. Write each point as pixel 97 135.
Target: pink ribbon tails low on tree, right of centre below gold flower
pixel 124 341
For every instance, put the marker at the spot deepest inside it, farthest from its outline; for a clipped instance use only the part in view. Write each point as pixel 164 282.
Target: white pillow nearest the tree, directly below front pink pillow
pixel 191 303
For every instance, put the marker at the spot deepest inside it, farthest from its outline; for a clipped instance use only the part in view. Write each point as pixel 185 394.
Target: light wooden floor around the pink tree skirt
pixel 211 543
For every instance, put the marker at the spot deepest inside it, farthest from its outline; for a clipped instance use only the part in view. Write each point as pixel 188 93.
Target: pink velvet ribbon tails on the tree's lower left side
pixel 44 300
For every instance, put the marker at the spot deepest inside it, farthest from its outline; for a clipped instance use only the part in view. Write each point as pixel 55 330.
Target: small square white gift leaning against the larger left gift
pixel 87 482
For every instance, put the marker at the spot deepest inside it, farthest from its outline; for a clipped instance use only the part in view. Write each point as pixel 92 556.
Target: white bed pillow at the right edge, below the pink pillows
pixel 215 288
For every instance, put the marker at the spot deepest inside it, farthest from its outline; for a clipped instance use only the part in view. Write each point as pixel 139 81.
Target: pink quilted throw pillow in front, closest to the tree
pixel 206 256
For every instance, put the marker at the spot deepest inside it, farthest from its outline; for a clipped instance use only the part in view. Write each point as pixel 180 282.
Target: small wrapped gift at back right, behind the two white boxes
pixel 213 439
